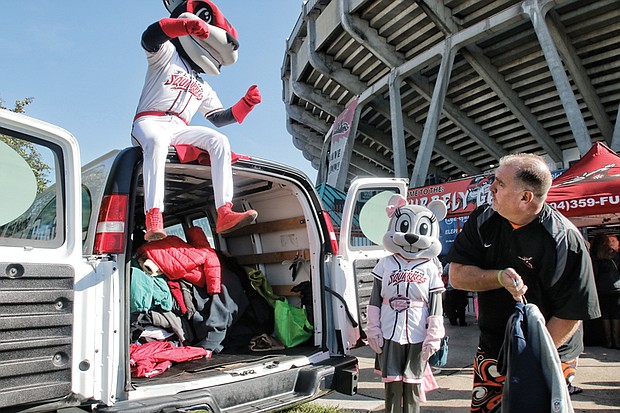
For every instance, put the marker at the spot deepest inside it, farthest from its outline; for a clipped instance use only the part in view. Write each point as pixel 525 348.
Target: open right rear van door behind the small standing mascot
pixel 364 221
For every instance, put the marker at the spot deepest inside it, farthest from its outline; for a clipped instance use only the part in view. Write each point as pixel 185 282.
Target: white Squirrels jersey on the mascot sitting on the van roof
pixel 171 86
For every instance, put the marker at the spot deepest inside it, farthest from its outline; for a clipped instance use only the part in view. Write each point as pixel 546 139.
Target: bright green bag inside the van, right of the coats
pixel 291 326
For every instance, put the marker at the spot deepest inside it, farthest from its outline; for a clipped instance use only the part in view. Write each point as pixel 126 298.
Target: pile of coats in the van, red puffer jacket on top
pixel 190 294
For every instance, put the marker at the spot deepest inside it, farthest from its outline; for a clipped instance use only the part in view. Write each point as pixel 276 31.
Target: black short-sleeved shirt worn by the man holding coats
pixel 549 254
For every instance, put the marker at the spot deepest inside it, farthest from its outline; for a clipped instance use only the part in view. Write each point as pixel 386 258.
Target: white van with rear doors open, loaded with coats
pixel 68 237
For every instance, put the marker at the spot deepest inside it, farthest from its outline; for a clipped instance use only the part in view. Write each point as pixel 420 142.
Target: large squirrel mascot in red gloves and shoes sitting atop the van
pixel 195 39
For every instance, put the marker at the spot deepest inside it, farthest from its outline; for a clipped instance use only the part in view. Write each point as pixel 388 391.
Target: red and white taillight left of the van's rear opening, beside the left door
pixel 110 233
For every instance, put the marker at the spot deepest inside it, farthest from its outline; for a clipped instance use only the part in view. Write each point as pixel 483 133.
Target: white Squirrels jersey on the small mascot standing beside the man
pixel 405 289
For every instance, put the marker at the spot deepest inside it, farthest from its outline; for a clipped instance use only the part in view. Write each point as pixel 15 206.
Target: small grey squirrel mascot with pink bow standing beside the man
pixel 405 321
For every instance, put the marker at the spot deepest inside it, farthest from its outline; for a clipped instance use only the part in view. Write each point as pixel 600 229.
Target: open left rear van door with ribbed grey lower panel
pixel 40 258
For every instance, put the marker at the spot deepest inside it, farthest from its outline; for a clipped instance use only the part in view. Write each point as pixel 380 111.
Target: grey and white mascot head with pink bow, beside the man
pixel 413 231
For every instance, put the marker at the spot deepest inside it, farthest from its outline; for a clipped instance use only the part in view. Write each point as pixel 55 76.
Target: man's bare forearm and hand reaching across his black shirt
pixel 472 278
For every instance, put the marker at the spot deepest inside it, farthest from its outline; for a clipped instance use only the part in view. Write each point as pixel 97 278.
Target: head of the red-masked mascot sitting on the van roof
pixel 210 54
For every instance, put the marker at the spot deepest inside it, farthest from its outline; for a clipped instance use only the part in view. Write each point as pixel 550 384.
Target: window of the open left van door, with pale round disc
pixel 32 211
